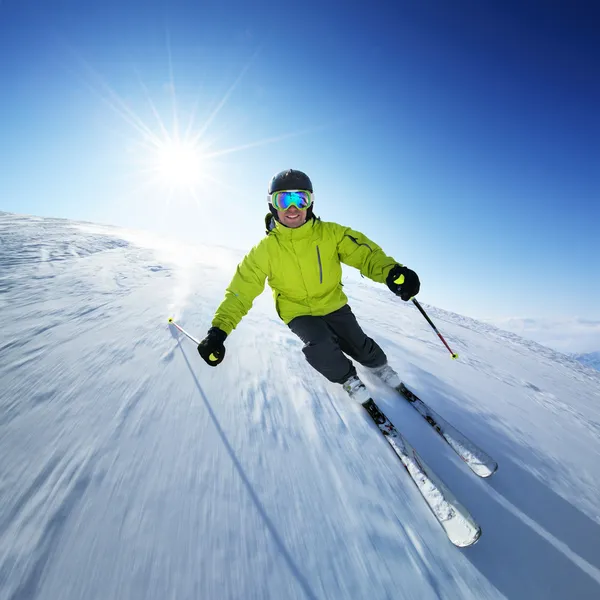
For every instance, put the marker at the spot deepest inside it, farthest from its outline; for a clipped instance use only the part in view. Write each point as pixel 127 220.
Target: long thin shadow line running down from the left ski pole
pixel 257 503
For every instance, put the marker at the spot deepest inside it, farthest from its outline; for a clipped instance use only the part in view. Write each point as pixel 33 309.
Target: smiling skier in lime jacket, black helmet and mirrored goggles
pixel 300 257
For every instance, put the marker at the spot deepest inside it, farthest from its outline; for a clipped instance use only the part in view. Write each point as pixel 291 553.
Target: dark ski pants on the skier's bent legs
pixel 329 338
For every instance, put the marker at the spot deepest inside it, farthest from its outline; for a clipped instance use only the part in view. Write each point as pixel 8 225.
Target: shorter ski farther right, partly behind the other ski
pixel 477 460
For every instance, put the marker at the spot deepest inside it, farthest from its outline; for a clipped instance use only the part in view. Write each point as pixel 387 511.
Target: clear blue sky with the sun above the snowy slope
pixel 463 137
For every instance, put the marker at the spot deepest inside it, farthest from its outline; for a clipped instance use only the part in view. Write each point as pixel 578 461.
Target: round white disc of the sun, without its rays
pixel 178 163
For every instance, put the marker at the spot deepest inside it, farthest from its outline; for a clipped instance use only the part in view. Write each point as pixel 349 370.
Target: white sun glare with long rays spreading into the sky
pixel 175 159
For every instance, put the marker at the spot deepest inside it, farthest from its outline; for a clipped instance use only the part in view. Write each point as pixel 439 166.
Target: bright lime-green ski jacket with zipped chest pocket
pixel 303 268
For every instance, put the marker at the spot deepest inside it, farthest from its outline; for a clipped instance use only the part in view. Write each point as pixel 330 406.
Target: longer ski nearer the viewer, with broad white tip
pixel 454 518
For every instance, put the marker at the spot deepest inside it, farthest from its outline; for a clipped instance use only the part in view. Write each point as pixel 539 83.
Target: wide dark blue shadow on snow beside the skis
pixel 535 544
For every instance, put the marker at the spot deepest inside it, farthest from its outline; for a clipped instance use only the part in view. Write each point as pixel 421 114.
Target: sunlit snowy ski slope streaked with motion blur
pixel 131 470
